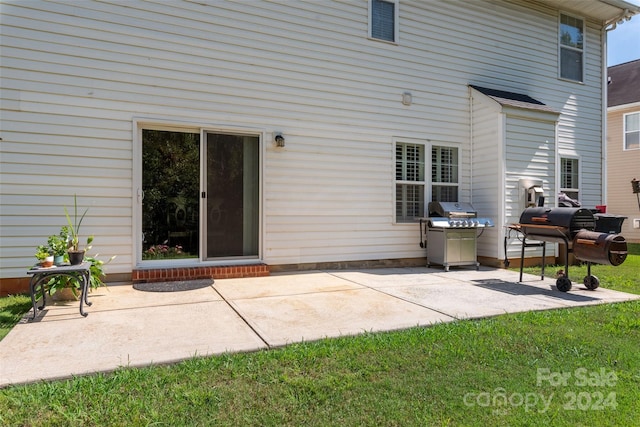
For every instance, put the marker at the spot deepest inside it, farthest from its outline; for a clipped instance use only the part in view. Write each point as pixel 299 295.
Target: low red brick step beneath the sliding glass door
pixel 193 273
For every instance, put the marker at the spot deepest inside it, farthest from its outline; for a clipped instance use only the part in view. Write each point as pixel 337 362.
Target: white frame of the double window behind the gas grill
pixel 427 184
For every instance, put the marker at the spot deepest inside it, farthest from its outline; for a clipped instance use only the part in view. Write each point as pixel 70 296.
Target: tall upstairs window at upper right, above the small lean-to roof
pixel 571 40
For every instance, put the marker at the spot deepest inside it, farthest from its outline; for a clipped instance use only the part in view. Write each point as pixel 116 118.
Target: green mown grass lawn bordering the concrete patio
pixel 568 367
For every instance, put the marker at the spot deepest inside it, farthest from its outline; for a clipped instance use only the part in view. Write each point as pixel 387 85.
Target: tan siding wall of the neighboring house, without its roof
pixel 622 166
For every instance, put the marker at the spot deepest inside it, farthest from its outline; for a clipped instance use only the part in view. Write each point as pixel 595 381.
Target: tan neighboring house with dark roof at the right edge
pixel 623 145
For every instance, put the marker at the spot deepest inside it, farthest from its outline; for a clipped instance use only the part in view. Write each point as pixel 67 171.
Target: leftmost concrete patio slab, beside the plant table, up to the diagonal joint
pixel 61 343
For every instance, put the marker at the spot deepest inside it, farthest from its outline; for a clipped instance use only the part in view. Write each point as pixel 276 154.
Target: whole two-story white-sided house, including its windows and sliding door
pixel 291 134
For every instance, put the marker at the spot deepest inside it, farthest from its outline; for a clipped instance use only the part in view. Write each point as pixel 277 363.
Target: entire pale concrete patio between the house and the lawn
pixel 126 327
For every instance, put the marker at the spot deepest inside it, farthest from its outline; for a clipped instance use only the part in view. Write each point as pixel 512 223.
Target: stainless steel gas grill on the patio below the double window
pixel 450 234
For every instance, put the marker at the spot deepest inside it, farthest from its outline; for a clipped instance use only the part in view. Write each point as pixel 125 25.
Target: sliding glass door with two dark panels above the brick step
pixel 201 198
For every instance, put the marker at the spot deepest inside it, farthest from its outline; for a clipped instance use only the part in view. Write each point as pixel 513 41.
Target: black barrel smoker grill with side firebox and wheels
pixel 573 227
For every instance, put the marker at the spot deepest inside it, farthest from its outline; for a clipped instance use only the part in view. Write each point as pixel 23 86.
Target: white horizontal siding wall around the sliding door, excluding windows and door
pixel 78 76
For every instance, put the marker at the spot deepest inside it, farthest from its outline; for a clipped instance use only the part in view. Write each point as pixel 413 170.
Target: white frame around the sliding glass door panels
pixel 137 195
